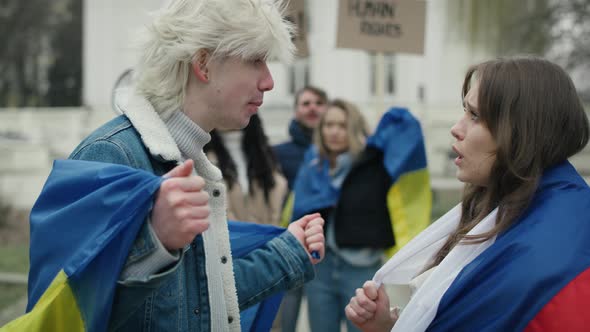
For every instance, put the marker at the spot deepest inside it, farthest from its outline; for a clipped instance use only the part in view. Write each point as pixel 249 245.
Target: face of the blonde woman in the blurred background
pixel 334 130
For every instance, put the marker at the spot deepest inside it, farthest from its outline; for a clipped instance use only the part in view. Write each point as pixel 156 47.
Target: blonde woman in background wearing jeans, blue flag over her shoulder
pixel 338 140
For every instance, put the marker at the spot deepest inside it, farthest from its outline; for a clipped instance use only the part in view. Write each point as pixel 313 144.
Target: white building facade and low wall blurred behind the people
pixel 428 84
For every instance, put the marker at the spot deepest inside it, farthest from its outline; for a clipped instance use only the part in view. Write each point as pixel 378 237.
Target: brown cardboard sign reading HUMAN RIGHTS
pixel 382 25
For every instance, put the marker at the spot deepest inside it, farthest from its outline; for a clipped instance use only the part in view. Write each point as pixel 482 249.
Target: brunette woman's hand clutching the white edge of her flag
pixel 369 309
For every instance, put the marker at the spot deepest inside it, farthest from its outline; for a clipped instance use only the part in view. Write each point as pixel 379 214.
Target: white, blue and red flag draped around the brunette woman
pixel 535 276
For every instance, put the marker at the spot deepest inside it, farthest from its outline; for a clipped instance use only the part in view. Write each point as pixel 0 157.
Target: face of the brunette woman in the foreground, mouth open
pixel 475 146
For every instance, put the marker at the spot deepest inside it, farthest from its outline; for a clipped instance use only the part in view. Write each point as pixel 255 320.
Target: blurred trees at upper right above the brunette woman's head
pixel 556 29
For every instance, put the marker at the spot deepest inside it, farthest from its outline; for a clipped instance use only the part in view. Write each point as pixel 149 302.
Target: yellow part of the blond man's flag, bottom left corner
pixel 56 310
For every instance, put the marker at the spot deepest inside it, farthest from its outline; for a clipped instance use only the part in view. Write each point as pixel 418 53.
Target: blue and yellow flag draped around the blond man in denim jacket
pixel 82 228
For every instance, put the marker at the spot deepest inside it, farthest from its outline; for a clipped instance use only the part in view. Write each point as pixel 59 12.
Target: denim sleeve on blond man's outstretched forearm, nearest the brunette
pixel 279 265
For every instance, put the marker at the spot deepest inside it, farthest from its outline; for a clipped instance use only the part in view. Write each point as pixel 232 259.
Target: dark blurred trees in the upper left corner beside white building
pixel 41 57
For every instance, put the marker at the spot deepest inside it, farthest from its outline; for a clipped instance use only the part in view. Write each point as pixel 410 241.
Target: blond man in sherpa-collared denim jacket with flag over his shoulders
pixel 202 66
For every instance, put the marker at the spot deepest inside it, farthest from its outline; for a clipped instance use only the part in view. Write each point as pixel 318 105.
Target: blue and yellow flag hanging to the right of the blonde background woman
pixel 409 200
